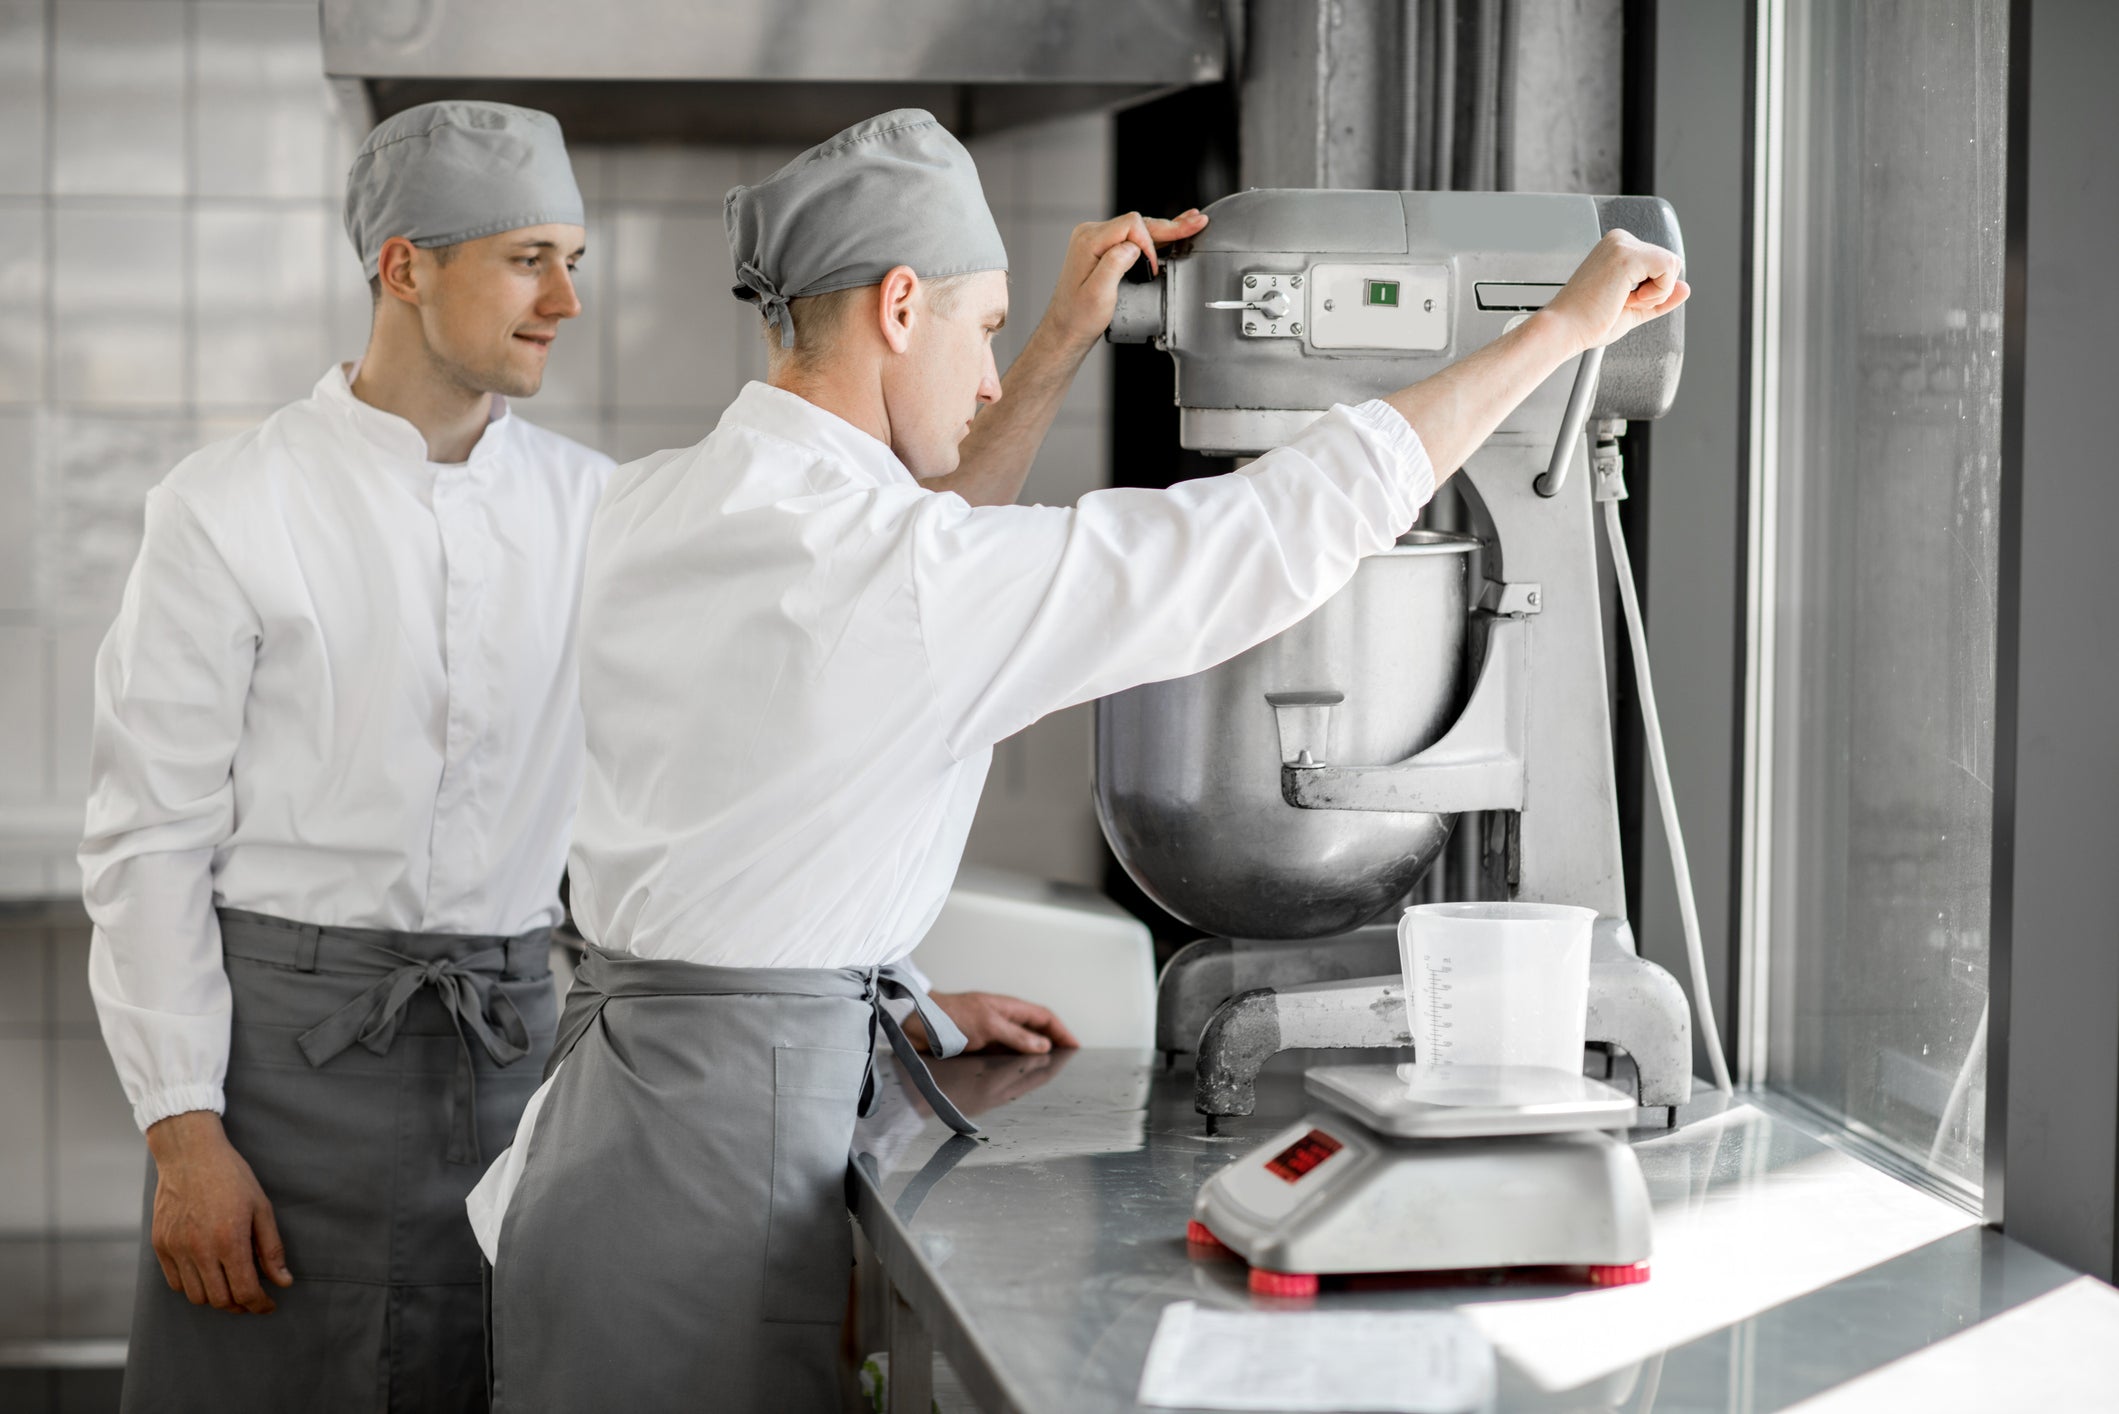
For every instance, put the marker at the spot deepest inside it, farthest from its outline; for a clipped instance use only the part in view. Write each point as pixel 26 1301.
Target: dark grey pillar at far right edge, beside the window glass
pixel 2052 1135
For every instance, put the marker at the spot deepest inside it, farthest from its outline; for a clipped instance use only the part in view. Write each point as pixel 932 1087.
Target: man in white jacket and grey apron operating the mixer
pixel 802 641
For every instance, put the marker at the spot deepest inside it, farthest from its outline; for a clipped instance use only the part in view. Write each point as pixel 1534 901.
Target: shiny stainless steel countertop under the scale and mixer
pixel 1041 1254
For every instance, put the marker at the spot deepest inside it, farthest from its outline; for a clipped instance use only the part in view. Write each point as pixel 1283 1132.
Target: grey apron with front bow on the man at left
pixel 368 1076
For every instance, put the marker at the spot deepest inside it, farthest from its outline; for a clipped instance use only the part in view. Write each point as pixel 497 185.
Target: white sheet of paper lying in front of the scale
pixel 1395 1362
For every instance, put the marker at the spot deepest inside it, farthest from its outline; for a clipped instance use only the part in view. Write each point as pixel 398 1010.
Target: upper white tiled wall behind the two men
pixel 173 268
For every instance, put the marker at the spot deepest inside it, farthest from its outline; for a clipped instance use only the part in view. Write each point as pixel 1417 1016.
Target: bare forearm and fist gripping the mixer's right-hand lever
pixel 1622 285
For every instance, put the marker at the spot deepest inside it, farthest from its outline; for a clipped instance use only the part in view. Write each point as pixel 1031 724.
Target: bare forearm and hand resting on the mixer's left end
pixel 1005 438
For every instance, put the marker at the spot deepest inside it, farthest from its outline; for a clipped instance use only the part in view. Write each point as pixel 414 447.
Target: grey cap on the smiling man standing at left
pixel 459 171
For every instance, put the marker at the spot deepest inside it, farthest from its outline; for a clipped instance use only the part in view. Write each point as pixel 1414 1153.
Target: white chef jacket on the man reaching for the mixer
pixel 798 660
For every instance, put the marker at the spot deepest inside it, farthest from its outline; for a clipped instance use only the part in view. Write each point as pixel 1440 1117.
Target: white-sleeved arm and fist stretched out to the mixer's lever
pixel 1031 609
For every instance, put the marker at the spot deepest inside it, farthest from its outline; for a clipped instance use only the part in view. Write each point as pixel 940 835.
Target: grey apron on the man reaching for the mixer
pixel 679 1235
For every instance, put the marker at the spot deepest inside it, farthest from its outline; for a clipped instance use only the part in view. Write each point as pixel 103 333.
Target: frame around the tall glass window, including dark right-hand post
pixel 2052 1125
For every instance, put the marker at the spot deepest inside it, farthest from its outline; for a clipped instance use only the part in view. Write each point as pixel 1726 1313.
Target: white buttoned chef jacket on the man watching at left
pixel 340 690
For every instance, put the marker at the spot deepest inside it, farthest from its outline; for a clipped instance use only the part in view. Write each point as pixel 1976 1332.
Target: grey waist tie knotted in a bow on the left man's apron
pixel 465 987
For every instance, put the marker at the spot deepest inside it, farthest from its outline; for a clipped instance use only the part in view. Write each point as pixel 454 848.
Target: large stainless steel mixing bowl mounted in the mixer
pixel 1188 773
